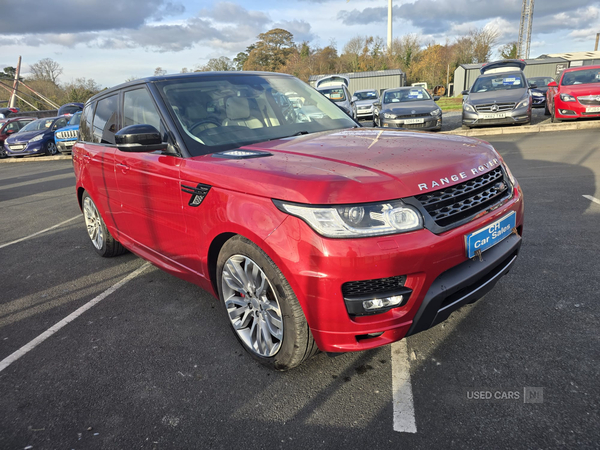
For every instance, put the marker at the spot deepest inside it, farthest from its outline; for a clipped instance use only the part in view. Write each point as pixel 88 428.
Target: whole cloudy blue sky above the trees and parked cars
pixel 112 41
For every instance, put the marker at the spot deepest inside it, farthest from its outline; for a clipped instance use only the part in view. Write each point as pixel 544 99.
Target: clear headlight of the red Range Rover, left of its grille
pixel 361 220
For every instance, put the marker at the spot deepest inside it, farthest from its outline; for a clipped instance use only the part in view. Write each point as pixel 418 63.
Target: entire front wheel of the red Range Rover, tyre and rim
pixel 272 307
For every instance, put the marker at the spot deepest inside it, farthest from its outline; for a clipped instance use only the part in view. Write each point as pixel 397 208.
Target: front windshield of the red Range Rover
pixel 216 113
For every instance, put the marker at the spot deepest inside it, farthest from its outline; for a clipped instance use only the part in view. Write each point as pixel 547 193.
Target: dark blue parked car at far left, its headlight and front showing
pixel 36 137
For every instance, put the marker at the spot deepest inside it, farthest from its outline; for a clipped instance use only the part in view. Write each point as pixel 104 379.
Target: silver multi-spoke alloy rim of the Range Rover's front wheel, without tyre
pixel 252 306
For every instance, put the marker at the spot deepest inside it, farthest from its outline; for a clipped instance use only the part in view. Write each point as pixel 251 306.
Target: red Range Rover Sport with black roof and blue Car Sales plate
pixel 314 233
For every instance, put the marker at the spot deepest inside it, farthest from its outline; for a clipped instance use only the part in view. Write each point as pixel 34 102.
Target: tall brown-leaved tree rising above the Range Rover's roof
pixel 272 51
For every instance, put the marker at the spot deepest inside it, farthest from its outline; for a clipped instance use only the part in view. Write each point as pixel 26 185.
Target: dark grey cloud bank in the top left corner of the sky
pixel 39 17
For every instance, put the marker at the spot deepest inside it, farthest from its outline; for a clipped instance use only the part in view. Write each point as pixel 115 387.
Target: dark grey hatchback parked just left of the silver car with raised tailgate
pixel 408 107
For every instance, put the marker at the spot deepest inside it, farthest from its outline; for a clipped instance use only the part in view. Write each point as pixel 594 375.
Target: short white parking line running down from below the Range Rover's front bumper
pixel 404 408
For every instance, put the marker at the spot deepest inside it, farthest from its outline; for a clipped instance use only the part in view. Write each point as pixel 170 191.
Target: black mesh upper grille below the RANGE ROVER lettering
pixel 451 205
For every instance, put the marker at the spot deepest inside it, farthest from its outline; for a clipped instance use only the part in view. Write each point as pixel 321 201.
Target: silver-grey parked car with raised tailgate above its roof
pixel 501 95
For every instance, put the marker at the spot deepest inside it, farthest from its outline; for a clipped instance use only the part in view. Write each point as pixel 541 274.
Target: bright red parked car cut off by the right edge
pixel 576 95
